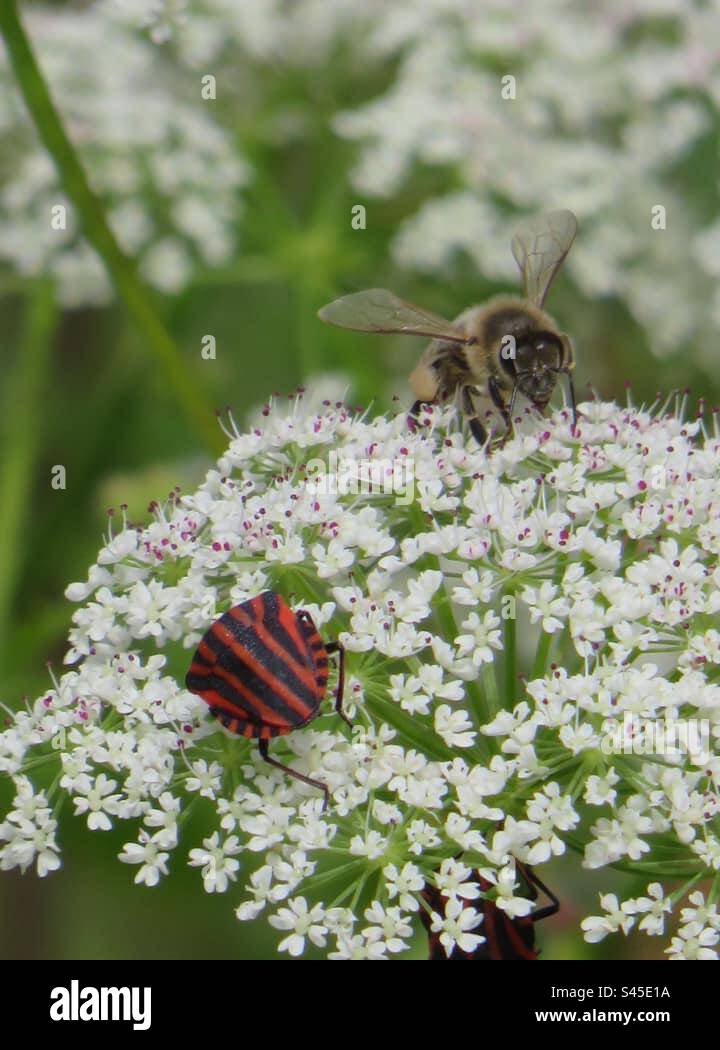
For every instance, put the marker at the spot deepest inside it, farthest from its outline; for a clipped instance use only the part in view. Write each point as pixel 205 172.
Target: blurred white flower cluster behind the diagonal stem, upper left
pixel 168 175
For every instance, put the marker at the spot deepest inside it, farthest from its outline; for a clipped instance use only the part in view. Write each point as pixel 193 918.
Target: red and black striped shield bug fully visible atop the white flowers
pixel 263 670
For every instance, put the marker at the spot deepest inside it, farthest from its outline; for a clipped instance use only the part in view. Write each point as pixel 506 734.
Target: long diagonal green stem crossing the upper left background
pixel 121 269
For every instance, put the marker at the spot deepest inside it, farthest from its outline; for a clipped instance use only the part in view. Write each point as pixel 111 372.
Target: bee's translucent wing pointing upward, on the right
pixel 540 247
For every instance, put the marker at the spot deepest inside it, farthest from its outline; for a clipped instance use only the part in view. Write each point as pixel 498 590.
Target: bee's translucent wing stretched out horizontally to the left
pixel 378 310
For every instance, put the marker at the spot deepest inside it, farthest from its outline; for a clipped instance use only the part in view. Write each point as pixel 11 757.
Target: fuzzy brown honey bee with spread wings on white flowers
pixel 509 346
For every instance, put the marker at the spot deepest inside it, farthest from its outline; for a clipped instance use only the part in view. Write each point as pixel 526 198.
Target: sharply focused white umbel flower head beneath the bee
pixel 513 621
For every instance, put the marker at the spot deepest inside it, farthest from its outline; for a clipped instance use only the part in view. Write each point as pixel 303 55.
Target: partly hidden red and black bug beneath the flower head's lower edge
pixel 505 938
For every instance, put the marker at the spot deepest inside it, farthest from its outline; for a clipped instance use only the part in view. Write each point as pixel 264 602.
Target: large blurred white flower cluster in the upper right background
pixel 610 118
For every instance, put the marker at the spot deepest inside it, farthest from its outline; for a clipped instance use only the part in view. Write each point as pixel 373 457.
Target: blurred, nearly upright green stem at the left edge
pixel 22 426
